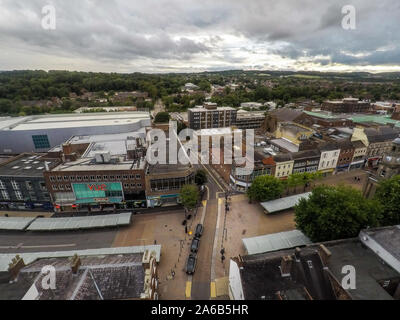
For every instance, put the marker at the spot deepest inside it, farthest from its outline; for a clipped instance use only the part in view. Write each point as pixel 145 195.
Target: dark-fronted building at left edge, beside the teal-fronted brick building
pixel 22 185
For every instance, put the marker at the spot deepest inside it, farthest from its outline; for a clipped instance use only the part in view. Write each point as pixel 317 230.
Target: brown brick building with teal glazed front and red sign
pixel 99 173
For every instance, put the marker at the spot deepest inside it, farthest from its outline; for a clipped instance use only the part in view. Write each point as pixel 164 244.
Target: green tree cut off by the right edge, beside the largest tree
pixel 388 194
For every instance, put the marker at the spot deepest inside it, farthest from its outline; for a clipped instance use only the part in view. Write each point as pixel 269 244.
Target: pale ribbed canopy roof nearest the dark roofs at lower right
pixel 275 242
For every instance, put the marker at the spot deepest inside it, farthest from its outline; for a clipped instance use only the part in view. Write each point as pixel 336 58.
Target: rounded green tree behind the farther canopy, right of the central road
pixel 265 188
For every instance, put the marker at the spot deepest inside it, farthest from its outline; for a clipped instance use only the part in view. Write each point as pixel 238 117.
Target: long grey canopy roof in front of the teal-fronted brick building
pixel 76 223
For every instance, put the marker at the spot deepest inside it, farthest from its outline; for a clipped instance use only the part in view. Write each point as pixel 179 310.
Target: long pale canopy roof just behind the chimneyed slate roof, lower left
pixel 28 258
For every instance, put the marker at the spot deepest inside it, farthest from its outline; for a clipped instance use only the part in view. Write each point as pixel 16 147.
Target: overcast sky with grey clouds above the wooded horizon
pixel 198 35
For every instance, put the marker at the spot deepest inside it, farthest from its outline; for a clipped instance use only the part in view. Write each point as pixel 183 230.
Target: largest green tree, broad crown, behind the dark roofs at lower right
pixel 333 213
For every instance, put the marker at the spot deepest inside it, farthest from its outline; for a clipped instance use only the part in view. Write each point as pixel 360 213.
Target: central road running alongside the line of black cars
pixel 201 280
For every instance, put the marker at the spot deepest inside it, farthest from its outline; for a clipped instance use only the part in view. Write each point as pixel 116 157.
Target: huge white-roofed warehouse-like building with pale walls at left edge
pixel 41 133
